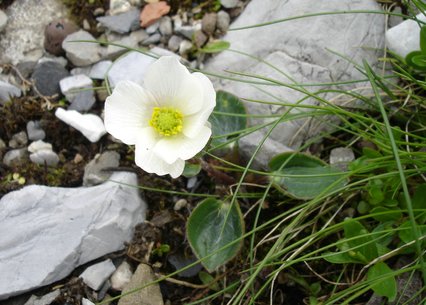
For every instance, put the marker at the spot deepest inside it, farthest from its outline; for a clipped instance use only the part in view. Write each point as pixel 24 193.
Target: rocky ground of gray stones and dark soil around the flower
pixel 52 91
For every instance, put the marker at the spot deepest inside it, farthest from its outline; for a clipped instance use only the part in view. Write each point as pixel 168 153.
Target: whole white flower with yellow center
pixel 166 118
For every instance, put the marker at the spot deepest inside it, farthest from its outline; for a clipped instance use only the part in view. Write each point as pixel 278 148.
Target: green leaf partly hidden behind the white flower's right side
pixel 228 118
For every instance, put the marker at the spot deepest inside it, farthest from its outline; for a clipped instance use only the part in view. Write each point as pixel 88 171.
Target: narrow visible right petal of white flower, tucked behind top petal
pixel 193 123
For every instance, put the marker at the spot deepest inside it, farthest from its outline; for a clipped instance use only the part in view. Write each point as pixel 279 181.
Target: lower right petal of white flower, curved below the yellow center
pixel 181 147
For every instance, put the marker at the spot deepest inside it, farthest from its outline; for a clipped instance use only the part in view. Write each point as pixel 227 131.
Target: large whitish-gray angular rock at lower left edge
pixel 42 246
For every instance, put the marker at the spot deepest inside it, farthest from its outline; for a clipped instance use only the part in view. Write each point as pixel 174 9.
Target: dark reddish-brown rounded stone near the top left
pixel 55 33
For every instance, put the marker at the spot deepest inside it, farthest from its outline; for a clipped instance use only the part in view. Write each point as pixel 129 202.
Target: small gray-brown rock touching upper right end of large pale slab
pixel 96 171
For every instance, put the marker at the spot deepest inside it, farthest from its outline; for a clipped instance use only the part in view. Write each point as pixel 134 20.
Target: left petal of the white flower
pixel 127 110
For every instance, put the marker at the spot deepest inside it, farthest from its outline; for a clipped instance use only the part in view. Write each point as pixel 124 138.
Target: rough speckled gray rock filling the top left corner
pixel 25 28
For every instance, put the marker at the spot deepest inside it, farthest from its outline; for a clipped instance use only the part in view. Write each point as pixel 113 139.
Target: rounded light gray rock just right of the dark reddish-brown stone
pixel 81 53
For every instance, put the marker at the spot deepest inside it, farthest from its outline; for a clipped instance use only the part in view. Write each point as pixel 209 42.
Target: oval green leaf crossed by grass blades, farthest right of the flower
pixel 307 177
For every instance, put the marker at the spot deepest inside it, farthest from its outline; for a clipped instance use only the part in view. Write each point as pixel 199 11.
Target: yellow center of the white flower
pixel 166 121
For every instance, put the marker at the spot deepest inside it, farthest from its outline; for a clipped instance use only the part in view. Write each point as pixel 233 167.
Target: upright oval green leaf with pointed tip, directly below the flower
pixel 214 225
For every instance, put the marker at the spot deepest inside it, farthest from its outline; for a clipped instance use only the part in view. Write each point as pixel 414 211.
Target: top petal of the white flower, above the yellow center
pixel 173 86
